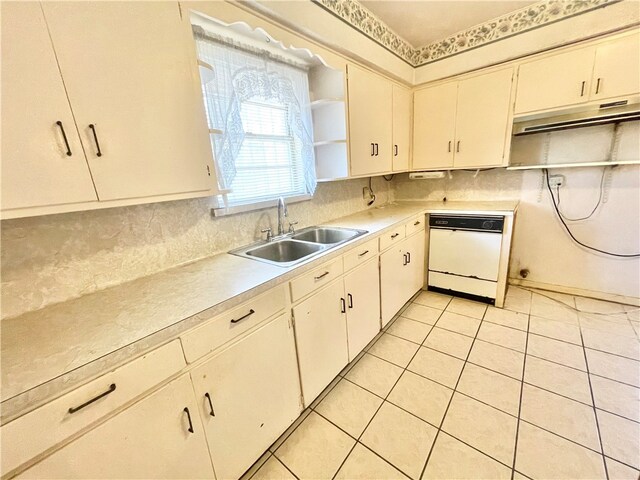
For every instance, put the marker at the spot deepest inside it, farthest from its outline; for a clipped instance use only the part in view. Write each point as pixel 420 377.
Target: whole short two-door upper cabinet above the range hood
pixel 605 70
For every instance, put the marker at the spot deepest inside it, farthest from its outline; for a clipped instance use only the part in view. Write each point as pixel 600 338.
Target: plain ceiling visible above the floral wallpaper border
pixel 421 22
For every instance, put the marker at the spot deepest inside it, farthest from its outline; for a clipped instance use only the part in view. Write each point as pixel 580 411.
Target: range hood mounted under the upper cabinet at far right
pixel 614 112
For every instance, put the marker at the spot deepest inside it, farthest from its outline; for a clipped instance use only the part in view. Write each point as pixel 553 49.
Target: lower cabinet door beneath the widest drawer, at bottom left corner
pixel 150 439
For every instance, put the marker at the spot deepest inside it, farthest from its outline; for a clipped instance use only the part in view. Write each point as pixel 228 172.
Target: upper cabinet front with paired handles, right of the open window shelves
pixel 370 123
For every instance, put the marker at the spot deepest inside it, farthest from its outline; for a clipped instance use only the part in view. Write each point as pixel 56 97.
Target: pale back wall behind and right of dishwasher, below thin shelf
pixel 540 244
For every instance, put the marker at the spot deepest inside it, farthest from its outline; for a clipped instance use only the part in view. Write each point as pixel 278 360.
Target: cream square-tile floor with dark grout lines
pixel 547 388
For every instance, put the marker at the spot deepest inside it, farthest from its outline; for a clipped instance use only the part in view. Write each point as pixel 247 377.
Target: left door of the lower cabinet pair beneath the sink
pixel 321 338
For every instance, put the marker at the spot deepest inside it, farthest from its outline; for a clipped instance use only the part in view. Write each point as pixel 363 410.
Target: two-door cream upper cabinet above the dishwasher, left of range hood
pixel 463 123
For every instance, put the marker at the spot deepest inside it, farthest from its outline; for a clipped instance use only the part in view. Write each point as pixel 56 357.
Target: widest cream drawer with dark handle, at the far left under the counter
pixel 39 430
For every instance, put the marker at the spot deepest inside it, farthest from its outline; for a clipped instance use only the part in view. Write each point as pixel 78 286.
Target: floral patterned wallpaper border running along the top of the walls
pixel 508 25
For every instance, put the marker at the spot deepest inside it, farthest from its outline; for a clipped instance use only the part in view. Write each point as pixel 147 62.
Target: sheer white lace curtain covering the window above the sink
pixel 259 114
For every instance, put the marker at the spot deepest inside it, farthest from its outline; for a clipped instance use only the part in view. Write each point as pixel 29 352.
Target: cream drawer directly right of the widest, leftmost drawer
pixel 225 327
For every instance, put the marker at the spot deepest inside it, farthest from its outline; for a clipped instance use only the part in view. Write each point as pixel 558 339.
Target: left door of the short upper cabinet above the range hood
pixel 555 81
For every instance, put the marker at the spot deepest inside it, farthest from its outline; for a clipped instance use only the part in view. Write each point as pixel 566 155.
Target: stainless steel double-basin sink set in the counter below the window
pixel 298 247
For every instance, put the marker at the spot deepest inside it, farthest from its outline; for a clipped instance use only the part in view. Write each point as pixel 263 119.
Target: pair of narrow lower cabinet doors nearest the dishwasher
pixel 401 274
